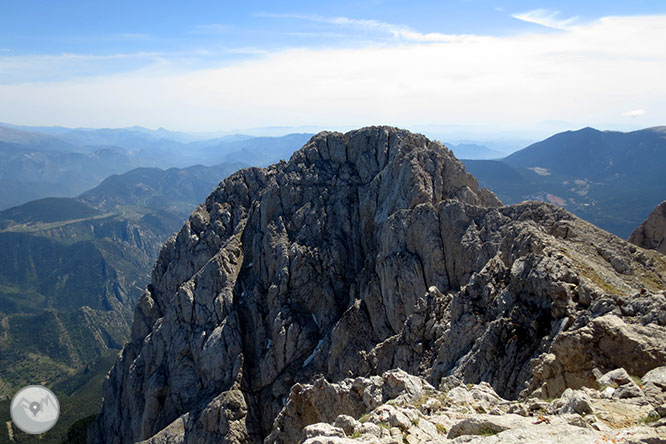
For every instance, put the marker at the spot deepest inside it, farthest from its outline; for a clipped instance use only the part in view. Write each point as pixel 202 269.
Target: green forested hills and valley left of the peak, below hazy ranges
pixel 72 271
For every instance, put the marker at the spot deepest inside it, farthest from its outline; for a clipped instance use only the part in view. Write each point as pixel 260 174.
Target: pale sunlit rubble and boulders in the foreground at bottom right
pixel 412 411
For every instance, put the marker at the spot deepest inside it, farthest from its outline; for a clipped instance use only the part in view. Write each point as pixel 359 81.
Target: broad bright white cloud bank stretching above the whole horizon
pixel 592 73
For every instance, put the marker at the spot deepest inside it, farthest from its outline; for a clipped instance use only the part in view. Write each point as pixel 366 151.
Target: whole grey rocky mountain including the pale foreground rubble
pixel 368 290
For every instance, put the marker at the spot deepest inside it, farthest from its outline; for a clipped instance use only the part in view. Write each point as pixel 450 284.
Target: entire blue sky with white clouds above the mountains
pixel 461 67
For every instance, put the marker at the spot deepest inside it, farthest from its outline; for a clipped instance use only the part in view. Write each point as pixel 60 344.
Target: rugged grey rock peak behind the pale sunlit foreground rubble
pixel 367 251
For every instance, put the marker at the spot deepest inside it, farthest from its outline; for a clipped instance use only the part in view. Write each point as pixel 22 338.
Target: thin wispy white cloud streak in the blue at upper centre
pixel 397 31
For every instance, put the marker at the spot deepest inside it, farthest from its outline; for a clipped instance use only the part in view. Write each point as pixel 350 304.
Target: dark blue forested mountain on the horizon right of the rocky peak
pixel 610 178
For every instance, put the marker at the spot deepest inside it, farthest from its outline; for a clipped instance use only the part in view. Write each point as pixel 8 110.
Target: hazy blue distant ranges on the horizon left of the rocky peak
pixel 38 162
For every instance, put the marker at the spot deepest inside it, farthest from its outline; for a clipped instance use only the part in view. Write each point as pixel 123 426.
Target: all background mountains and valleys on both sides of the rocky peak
pixel 73 268
